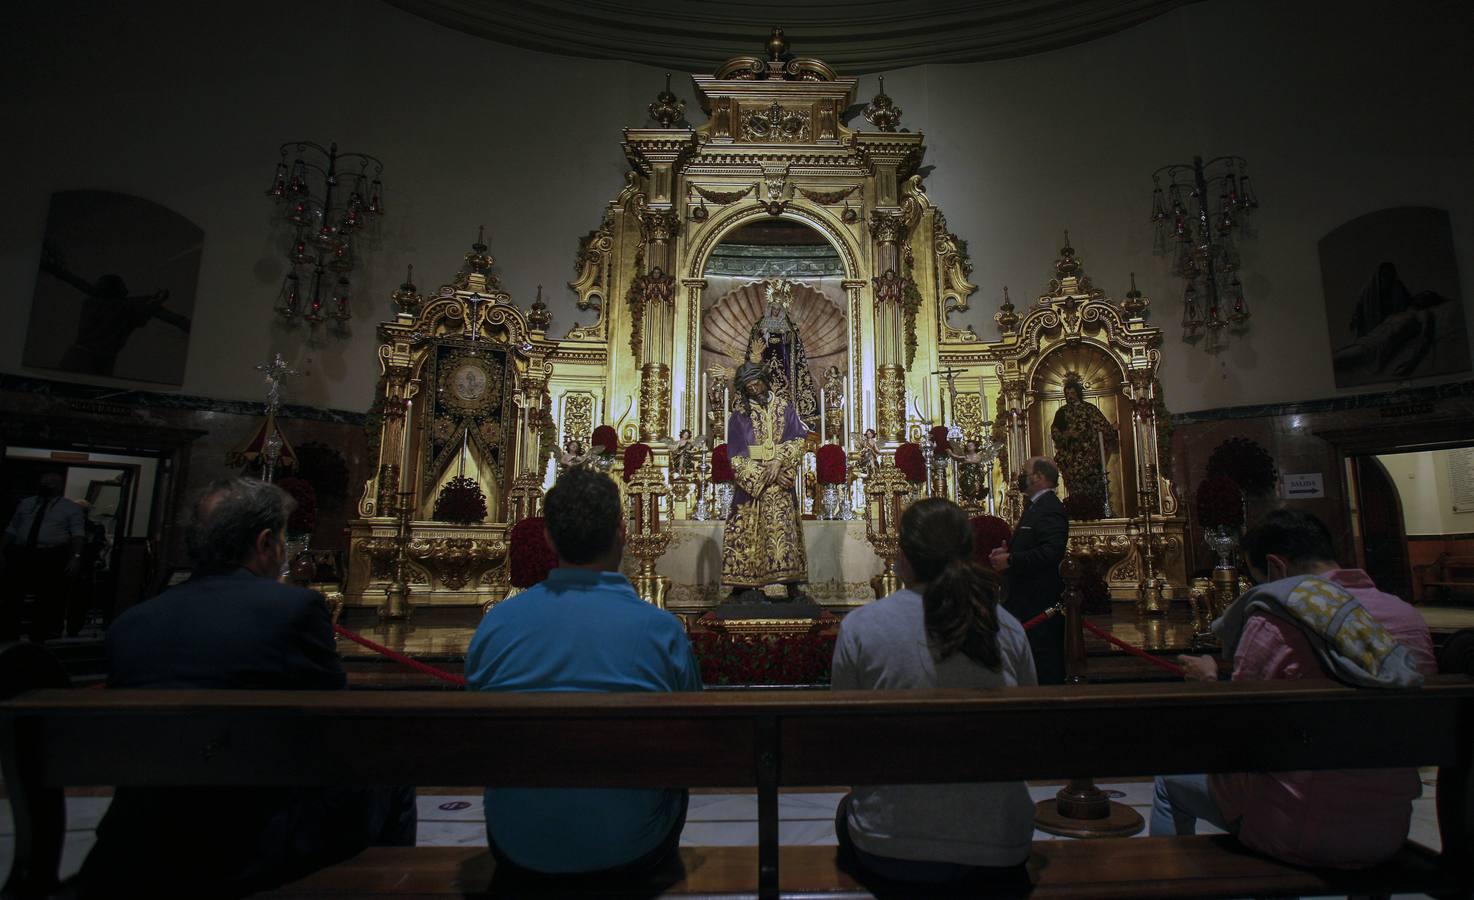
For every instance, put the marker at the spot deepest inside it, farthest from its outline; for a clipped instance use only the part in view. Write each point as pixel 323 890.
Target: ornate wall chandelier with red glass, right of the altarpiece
pixel 1201 239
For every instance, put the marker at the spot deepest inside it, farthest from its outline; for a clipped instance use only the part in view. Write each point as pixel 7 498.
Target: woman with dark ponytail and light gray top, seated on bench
pixel 944 630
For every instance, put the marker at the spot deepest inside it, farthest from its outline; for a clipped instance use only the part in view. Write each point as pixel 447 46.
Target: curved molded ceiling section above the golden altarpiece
pixel 853 36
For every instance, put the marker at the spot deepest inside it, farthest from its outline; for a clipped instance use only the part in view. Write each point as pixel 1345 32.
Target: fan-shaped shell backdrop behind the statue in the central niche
pixel 727 326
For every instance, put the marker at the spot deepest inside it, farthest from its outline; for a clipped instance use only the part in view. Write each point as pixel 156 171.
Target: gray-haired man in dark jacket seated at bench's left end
pixel 234 627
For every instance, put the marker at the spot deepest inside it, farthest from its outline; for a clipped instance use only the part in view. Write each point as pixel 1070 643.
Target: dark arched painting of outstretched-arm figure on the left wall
pixel 116 291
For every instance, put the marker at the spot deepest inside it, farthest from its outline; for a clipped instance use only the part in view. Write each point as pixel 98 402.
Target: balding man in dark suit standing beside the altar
pixel 1031 566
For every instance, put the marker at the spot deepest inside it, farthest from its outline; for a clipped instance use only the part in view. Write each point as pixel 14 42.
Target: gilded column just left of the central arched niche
pixel 658 298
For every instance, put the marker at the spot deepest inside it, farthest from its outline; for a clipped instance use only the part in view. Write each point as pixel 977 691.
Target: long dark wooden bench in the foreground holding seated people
pixel 54 739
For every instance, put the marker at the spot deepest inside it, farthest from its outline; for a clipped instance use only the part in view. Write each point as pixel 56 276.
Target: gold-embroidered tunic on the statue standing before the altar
pixel 763 543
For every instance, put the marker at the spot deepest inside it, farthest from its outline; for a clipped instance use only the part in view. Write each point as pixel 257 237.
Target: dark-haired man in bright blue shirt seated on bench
pixel 583 630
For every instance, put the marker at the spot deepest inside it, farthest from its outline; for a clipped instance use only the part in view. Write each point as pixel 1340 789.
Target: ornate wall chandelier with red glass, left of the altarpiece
pixel 326 213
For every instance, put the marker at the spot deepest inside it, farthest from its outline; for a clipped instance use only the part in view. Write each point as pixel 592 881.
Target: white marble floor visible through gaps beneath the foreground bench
pixel 713 821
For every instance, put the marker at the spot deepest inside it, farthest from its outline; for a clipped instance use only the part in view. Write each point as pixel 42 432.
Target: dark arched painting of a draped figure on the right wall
pixel 1392 298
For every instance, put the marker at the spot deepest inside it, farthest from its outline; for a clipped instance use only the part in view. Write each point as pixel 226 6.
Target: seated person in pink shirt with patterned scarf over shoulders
pixel 1332 818
